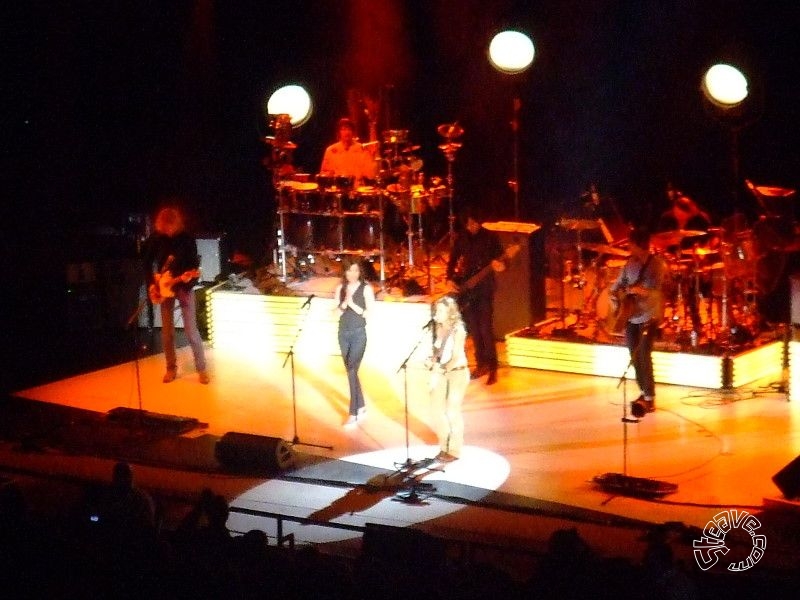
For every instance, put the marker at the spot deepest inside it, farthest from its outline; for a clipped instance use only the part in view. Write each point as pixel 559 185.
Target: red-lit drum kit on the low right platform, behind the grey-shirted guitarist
pixel 710 292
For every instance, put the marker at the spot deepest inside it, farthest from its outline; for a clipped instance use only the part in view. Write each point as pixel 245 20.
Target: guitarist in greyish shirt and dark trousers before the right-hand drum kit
pixel 638 294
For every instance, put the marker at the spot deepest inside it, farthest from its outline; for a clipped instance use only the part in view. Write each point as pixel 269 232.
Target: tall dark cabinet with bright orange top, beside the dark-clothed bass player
pixel 519 300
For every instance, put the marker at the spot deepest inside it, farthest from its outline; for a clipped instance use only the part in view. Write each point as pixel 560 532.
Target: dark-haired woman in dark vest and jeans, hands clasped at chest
pixel 356 299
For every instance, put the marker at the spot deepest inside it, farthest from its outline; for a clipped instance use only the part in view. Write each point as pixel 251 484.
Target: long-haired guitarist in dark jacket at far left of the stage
pixel 171 269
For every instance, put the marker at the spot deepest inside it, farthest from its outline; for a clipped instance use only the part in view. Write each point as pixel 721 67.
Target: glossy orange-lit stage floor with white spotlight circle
pixel 534 442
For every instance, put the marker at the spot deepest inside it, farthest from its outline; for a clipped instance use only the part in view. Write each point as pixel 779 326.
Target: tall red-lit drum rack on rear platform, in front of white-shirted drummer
pixel 331 215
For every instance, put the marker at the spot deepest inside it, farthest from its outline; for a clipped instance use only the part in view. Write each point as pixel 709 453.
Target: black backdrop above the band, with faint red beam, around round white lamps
pixel 111 106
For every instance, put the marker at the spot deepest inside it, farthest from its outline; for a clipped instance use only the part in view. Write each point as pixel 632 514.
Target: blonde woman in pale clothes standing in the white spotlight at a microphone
pixel 449 377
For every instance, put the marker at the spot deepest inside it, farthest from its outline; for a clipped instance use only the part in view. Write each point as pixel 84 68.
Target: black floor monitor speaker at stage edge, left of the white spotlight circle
pixel 248 453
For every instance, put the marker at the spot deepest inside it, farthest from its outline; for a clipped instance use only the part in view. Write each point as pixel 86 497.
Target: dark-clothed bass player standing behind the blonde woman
pixel 474 249
